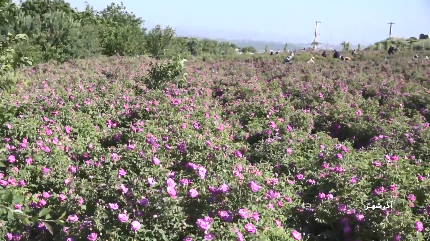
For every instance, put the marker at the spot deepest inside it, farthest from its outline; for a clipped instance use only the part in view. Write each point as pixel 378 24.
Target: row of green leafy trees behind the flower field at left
pixel 56 31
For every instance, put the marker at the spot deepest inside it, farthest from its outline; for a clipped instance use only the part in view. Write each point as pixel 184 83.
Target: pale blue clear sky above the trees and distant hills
pixel 362 22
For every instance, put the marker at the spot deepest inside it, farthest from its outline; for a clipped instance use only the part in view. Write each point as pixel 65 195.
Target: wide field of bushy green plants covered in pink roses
pixel 244 148
